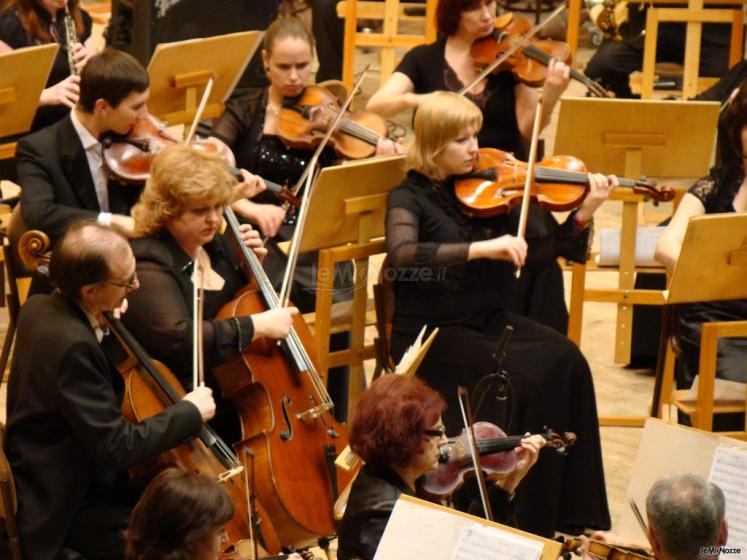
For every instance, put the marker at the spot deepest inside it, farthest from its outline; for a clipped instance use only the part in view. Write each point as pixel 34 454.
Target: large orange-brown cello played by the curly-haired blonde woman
pixel 285 414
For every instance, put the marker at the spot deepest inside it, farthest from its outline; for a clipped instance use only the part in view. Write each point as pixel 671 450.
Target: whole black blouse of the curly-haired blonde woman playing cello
pixel 160 312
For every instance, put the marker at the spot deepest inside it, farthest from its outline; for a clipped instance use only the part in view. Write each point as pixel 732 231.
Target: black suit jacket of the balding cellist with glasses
pixel 66 433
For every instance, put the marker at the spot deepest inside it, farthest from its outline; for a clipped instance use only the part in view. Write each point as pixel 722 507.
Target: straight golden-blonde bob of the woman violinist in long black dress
pixel 440 118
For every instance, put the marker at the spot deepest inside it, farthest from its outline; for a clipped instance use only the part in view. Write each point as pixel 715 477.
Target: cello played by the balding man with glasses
pixel 150 387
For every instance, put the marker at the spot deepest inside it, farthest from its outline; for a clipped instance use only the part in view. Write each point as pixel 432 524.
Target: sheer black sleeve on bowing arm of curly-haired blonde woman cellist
pixel 161 319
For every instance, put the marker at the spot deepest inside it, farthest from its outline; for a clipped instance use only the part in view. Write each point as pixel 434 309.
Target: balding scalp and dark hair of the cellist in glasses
pixel 86 254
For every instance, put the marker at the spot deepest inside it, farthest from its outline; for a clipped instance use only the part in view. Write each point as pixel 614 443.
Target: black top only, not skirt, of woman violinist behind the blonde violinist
pixel 428 70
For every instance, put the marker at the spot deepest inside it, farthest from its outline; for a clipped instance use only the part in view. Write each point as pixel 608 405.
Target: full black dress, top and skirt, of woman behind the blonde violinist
pixel 539 293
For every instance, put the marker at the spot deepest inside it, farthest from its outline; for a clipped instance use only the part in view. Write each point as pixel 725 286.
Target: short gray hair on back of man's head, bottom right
pixel 686 513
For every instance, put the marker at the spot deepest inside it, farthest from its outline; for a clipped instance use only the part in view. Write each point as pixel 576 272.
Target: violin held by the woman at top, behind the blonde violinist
pixel 528 63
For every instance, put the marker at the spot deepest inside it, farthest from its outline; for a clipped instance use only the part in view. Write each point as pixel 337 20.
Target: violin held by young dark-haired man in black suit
pixel 128 158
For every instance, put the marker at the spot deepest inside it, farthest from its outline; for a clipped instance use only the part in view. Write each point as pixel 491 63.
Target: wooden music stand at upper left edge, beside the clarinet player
pixel 23 75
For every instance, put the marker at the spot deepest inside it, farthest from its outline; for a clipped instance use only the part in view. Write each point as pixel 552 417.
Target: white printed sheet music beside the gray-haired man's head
pixel 728 473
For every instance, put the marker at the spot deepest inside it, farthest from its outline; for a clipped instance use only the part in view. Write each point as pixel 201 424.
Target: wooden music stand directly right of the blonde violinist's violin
pixel 630 138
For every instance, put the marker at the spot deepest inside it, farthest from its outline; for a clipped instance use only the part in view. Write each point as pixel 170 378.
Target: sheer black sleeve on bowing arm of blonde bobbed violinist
pixel 405 250
